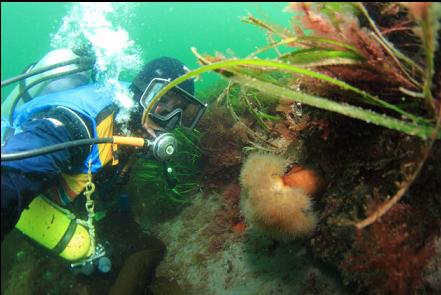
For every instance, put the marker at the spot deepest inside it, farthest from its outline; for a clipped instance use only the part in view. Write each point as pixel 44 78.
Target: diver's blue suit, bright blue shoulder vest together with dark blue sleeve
pixel 43 122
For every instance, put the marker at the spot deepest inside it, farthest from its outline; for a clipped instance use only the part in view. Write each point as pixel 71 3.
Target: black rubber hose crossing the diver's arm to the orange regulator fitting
pixel 53 148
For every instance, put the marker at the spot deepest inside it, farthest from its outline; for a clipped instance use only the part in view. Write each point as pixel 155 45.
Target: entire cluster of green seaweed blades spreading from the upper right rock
pixel 255 73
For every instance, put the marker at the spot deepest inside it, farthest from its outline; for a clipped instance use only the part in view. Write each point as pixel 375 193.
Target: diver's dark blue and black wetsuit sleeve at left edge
pixel 22 180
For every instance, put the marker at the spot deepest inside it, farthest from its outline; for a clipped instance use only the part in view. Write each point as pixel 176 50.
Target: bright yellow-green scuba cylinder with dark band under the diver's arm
pixel 56 229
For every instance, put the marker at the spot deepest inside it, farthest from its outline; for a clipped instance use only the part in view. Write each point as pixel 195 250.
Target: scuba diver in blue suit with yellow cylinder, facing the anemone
pixel 59 130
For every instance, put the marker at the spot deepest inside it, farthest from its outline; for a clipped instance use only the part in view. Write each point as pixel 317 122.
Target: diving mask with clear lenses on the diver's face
pixel 175 108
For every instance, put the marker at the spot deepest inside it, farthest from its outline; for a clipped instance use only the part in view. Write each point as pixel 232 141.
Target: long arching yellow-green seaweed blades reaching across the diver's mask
pixel 420 127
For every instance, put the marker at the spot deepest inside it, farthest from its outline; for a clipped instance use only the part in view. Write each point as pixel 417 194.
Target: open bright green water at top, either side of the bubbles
pixel 158 29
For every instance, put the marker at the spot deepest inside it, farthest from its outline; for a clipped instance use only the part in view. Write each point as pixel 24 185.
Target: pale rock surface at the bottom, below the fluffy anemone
pixel 237 263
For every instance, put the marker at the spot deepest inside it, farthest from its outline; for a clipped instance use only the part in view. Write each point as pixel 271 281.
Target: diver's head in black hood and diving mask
pixel 177 108
